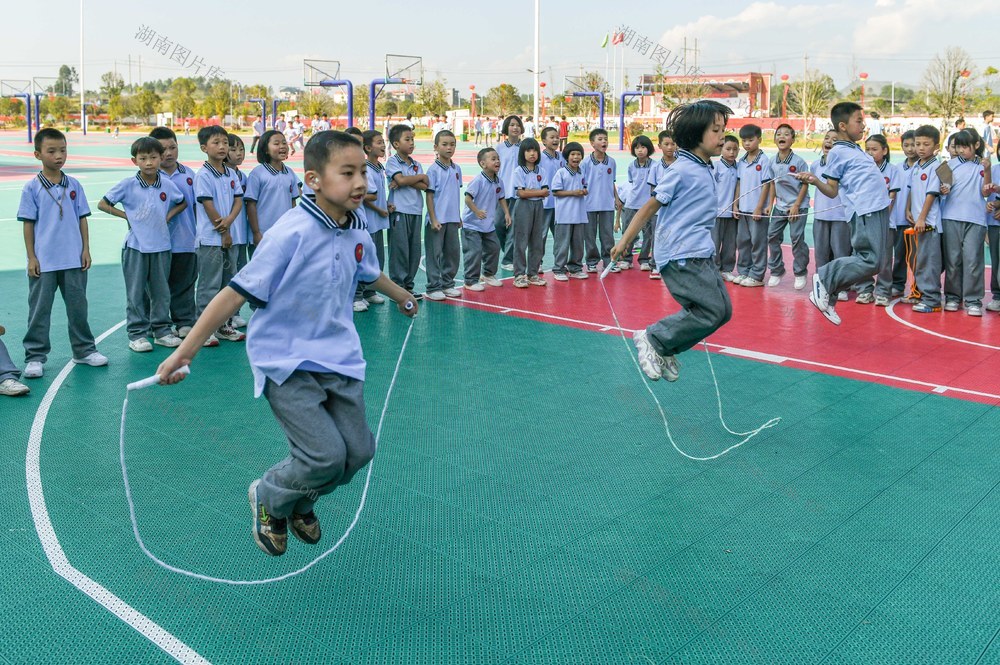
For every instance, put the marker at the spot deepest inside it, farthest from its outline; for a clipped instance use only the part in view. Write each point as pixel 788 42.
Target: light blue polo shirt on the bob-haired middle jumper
pixel 684 224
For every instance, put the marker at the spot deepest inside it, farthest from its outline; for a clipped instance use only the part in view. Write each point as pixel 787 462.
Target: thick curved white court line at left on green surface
pixel 149 629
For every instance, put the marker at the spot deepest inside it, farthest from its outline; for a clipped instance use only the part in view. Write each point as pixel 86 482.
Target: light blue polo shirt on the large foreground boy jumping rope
pixel 302 279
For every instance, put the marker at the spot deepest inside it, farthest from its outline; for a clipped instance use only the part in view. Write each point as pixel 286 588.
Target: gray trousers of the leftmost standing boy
pixel 72 284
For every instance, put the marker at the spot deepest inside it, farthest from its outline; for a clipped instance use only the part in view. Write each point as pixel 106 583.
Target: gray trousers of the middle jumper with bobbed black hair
pixel 697 286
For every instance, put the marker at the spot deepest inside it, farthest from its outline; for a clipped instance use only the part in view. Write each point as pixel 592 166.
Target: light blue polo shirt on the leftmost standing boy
pixel 55 210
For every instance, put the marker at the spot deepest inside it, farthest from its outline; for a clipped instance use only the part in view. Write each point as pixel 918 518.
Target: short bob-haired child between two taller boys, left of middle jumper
pixel 569 187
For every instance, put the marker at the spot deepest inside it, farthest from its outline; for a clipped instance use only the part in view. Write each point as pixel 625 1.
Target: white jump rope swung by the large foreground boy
pixel 154 381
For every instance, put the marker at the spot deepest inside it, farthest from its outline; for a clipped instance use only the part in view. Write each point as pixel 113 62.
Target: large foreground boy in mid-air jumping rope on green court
pixel 304 350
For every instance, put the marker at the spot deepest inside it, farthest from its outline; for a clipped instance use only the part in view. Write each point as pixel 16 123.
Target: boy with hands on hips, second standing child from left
pixel 150 202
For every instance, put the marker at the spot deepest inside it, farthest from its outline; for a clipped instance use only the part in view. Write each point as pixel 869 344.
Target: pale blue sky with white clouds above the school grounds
pixel 484 44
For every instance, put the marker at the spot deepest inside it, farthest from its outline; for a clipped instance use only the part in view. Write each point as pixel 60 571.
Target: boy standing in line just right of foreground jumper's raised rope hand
pixel 442 245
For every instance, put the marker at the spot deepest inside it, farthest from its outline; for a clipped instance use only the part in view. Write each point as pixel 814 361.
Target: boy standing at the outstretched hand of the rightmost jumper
pixel 789 208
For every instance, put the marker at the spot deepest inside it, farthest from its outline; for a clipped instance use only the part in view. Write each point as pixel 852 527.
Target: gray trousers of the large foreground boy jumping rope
pixel 323 416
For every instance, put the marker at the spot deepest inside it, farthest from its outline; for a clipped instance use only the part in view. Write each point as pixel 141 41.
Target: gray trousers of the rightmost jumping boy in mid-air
pixel 869 236
